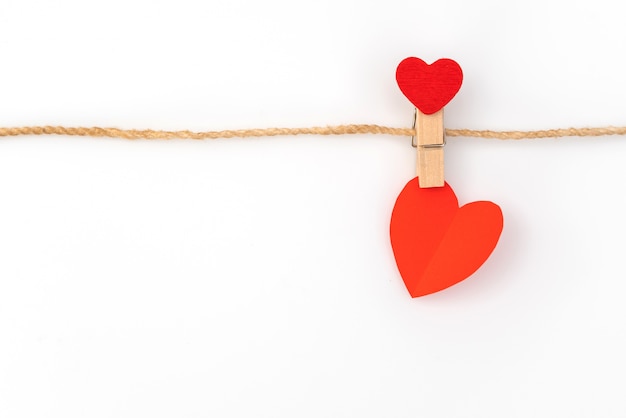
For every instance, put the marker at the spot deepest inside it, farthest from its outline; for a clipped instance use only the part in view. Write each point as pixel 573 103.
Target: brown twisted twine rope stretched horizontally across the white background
pixel 327 130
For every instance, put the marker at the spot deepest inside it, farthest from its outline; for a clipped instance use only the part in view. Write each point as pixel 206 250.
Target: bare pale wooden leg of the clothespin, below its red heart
pixel 430 142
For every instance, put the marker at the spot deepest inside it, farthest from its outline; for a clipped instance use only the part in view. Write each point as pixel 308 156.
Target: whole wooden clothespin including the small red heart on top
pixel 429 88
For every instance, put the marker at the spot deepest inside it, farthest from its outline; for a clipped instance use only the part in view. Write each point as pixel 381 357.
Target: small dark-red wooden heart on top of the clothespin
pixel 429 87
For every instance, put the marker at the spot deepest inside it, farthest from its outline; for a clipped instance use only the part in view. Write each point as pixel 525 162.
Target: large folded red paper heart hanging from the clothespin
pixel 436 243
